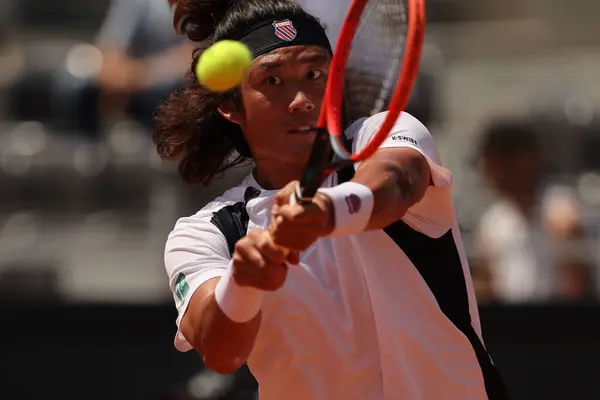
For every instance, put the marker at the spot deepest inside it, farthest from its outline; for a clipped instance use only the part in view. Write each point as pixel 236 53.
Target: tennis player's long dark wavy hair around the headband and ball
pixel 189 128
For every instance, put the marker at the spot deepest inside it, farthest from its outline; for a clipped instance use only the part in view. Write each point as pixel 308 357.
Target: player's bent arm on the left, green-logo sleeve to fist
pixel 218 296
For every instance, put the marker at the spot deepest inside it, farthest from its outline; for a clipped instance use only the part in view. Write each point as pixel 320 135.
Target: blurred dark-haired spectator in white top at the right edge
pixel 523 235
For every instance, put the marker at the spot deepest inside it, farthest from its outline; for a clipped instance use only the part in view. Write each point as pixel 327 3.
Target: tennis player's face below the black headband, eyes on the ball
pixel 282 97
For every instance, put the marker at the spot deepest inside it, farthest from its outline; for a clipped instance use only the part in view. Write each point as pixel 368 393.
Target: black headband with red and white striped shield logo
pixel 274 33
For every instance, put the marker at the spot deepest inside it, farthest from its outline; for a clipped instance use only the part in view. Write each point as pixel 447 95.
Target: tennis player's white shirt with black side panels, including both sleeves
pixel 387 314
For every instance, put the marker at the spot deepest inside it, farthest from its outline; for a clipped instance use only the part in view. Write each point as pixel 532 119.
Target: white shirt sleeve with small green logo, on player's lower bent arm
pixel 195 252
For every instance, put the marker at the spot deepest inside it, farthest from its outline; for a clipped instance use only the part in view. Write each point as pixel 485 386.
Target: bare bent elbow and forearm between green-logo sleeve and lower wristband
pixel 223 344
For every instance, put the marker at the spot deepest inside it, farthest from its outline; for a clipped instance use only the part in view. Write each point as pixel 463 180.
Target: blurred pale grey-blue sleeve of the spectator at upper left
pixel 120 24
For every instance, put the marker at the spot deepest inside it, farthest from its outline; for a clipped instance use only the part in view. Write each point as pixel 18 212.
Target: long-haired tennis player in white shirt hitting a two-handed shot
pixel 375 301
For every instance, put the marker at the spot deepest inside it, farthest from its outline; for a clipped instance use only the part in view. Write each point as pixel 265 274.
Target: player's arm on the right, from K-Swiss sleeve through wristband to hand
pixel 404 180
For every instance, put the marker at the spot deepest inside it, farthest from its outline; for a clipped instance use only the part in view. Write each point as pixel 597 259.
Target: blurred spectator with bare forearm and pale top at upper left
pixel 142 62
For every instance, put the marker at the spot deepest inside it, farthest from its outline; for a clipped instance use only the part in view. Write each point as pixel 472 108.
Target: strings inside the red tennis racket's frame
pixel 375 58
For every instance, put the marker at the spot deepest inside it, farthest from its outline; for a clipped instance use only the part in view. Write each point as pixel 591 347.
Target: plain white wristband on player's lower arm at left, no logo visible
pixel 238 303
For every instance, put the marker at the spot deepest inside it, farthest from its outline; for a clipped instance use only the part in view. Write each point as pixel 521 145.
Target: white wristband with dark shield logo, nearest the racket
pixel 352 206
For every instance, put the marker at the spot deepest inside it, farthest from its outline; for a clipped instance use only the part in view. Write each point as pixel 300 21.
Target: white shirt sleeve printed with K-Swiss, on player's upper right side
pixel 434 214
